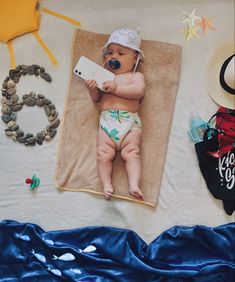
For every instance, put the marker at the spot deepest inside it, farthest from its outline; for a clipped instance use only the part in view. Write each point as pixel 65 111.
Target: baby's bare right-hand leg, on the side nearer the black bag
pixel 130 153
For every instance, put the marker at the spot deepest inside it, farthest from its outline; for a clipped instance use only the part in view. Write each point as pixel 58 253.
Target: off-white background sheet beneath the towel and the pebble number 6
pixel 184 198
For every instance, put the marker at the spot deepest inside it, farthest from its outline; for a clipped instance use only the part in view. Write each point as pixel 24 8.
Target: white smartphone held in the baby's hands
pixel 87 69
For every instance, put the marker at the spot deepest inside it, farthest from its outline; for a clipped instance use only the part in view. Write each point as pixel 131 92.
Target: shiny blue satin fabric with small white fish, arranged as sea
pixel 99 254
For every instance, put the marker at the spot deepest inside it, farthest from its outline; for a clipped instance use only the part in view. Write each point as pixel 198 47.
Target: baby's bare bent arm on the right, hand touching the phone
pixel 135 90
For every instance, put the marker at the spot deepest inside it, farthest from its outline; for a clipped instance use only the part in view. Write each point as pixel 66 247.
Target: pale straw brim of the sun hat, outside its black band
pixel 214 89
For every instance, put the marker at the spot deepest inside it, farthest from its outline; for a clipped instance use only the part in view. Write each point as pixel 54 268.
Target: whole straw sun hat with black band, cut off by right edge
pixel 220 81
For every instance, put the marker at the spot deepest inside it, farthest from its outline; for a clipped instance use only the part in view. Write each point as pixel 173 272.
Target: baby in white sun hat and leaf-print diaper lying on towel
pixel 120 125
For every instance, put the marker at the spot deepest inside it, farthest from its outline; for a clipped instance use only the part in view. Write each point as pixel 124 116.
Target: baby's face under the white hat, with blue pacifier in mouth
pixel 125 56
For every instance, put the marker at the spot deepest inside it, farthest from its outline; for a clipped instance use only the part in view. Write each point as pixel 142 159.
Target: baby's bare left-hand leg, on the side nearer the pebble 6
pixel 106 151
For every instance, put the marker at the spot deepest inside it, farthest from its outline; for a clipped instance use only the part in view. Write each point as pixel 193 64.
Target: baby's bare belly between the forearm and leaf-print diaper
pixel 109 102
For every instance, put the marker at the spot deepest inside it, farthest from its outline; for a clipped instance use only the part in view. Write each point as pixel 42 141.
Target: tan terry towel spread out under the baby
pixel 76 160
